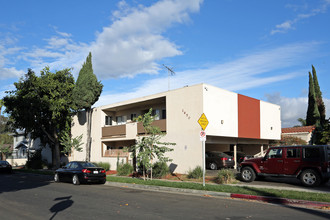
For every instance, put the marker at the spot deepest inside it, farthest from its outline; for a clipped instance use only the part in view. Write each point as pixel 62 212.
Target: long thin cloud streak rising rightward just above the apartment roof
pixel 250 71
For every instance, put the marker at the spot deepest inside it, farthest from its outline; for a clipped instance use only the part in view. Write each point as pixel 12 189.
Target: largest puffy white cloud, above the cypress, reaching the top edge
pixel 133 43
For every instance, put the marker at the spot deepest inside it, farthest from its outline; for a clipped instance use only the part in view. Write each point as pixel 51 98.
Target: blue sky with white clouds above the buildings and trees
pixel 262 49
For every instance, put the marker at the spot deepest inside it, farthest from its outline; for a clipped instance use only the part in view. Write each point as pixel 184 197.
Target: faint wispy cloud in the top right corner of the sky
pixel 289 24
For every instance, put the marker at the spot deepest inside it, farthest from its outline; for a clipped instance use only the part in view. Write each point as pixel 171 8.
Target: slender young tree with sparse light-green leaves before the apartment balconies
pixel 149 146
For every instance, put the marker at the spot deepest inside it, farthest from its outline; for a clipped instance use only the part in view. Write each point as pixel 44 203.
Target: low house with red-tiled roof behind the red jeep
pixel 304 132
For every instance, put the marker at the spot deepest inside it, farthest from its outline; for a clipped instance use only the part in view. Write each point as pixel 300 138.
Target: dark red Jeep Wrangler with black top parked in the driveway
pixel 309 163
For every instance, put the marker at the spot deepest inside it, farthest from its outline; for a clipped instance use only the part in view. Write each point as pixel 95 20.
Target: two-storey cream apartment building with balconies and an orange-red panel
pixel 236 122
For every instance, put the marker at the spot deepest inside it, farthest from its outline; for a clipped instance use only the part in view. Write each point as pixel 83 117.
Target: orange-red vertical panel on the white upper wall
pixel 248 117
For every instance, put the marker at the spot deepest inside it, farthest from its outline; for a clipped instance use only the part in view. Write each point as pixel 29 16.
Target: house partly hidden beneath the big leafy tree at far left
pixel 24 145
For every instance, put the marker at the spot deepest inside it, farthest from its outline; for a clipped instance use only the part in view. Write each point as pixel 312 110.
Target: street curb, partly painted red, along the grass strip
pixel 267 199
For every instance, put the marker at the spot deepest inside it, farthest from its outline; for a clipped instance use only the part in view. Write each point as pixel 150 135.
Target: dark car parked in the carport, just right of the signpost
pixel 216 160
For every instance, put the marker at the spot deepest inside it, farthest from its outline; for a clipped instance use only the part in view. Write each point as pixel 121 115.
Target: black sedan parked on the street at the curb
pixel 80 172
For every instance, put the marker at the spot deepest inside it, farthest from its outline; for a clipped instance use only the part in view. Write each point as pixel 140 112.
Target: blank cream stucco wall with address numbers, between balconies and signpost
pixel 184 107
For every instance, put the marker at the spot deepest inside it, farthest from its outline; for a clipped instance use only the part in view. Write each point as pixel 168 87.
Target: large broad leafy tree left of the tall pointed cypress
pixel 42 107
